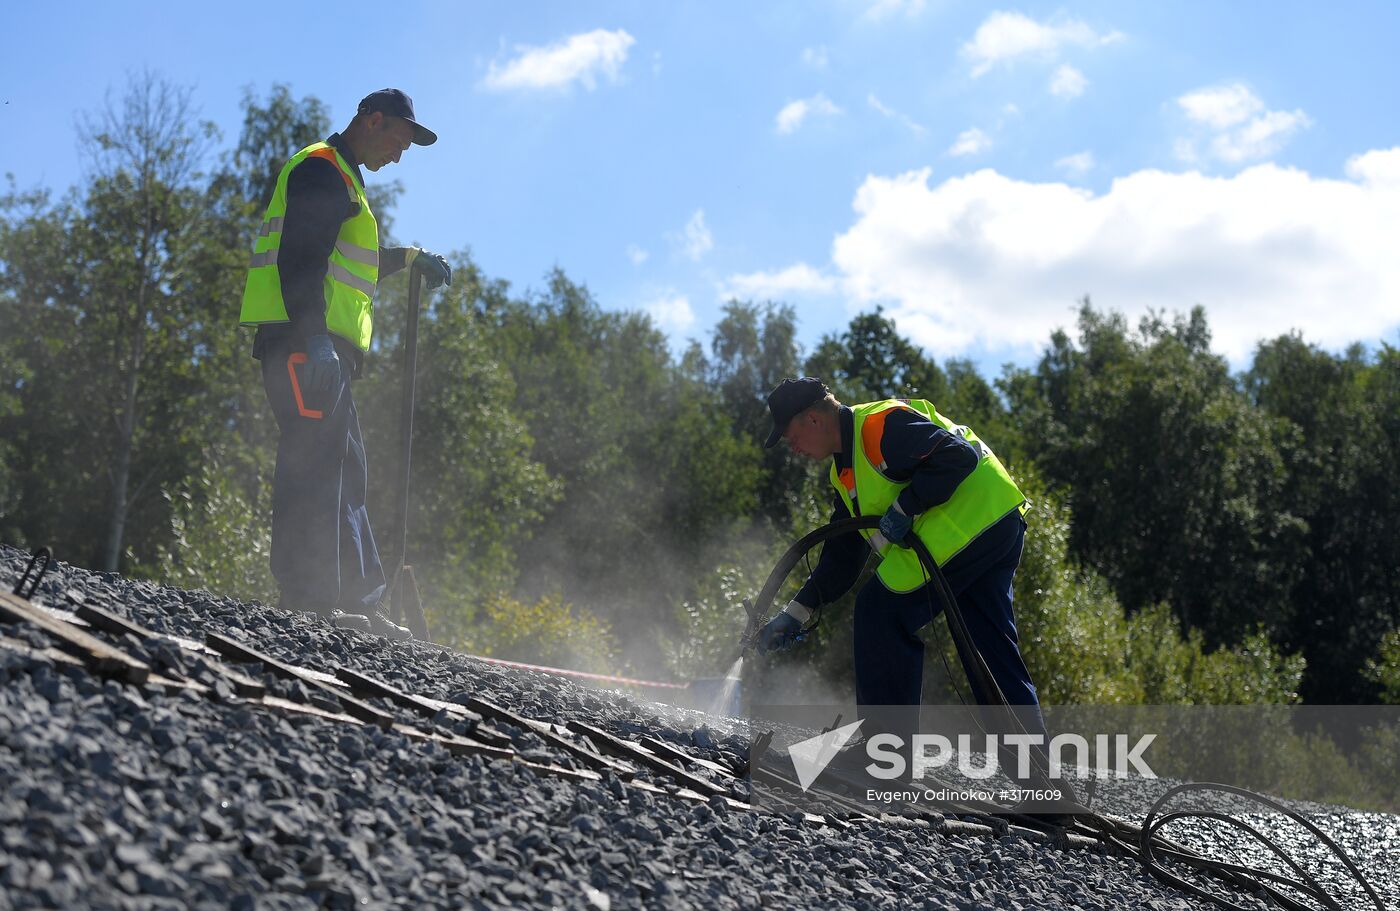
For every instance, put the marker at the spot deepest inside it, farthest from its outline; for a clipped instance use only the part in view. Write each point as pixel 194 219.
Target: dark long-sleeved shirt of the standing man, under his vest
pixel 317 206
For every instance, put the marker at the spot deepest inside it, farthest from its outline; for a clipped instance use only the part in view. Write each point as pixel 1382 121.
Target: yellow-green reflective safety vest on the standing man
pixel 352 269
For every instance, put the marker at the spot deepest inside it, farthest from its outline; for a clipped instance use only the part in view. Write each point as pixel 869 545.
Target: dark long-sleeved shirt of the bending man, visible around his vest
pixel 916 450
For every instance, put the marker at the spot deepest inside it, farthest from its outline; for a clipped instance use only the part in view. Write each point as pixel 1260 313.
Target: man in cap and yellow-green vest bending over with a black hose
pixel 926 478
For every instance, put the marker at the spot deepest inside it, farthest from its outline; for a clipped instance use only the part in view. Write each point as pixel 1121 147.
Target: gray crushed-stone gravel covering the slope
pixel 122 797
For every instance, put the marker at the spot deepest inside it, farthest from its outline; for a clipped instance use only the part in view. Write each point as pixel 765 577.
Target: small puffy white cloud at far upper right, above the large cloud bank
pixel 1238 125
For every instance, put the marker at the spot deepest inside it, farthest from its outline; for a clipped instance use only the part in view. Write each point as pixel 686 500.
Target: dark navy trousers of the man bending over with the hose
pixel 890 658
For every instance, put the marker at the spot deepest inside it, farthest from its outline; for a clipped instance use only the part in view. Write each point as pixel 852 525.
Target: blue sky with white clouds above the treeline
pixel 971 169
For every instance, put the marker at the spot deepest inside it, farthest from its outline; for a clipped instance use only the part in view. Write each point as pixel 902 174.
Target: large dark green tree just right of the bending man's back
pixel 1174 478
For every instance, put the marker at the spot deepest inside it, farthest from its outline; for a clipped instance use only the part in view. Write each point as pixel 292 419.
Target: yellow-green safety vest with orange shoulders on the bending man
pixel 983 499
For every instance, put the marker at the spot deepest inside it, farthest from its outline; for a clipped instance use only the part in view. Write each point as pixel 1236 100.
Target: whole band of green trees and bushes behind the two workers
pixel 583 495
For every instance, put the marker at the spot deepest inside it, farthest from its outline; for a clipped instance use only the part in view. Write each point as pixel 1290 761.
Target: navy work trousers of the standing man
pixel 323 549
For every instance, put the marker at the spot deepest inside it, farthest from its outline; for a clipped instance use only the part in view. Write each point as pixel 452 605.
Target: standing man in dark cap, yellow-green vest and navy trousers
pixel 310 292
